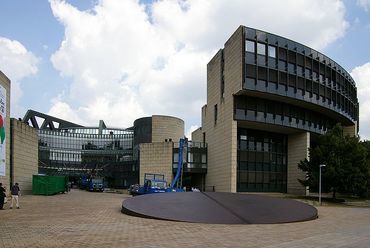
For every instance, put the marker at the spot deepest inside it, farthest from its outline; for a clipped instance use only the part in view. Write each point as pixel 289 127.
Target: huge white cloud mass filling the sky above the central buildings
pixel 127 64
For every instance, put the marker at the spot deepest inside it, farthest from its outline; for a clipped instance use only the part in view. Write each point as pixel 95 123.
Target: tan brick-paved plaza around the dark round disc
pixel 84 219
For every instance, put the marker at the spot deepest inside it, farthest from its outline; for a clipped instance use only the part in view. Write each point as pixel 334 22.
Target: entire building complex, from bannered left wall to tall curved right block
pixel 268 100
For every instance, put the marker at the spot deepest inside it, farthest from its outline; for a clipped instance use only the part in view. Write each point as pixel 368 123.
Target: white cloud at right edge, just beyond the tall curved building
pixel 361 75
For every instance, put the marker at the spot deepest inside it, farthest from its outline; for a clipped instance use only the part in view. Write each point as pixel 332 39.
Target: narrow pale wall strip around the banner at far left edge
pixel 5 82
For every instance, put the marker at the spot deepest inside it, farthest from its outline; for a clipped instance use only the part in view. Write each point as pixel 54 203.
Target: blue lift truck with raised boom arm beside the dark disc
pixel 155 183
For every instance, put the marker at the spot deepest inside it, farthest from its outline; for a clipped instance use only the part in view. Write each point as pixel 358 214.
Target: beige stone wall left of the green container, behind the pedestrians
pixel 25 154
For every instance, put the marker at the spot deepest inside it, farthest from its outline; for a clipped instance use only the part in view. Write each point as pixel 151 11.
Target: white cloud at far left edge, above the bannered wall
pixel 16 63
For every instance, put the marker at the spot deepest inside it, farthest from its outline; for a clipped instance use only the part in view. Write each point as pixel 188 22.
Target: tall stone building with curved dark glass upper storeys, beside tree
pixel 268 99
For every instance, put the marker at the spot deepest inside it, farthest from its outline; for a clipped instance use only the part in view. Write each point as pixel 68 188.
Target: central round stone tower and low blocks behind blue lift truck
pixel 156 140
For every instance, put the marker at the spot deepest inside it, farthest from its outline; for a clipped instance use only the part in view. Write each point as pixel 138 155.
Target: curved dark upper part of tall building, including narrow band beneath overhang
pixel 285 71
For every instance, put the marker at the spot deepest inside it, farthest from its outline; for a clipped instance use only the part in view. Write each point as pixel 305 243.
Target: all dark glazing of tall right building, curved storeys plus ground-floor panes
pixel 290 85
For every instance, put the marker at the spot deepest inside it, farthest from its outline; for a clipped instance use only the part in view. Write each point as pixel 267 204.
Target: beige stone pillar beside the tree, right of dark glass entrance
pixel 298 145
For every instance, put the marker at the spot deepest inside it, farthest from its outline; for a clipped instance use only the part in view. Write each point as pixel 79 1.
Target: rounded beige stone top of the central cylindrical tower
pixel 167 127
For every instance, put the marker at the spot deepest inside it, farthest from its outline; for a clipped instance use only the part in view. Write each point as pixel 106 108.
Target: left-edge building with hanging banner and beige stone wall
pixel 18 145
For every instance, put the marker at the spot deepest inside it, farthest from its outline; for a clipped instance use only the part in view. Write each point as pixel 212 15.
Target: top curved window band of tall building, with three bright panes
pixel 293 70
